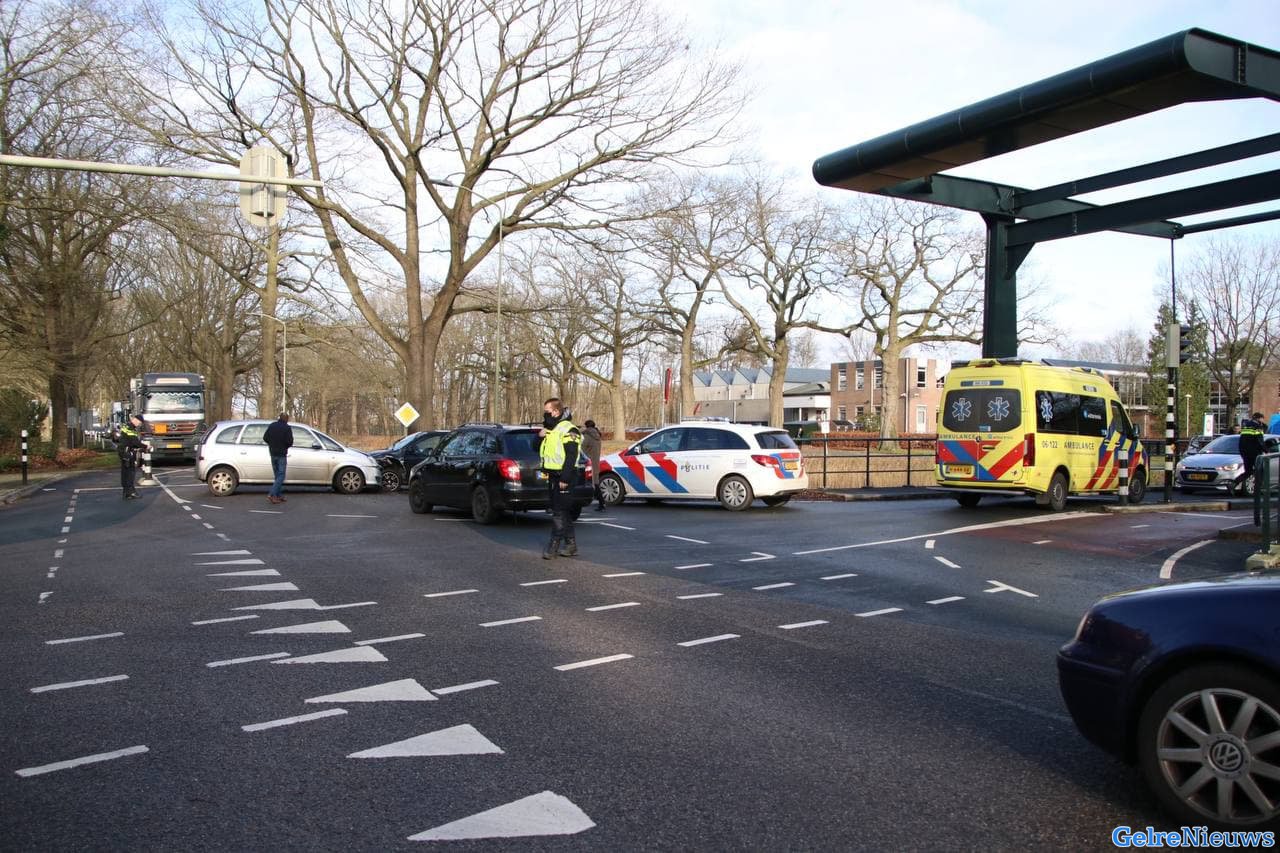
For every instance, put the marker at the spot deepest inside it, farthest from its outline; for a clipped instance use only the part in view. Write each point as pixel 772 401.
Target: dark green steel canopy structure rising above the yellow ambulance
pixel 1186 67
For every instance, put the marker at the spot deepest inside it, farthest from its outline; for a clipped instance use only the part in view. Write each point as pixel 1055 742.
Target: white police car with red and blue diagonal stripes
pixel 730 463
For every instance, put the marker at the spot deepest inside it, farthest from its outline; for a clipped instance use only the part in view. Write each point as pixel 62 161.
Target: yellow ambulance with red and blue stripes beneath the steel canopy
pixel 1008 426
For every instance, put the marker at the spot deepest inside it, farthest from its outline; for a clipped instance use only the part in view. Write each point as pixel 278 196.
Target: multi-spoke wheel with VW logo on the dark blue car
pixel 1209 745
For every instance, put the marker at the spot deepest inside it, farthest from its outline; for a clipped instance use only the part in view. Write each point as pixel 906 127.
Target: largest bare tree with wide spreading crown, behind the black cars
pixel 537 111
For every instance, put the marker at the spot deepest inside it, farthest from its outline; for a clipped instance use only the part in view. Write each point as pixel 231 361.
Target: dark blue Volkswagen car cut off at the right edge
pixel 1185 681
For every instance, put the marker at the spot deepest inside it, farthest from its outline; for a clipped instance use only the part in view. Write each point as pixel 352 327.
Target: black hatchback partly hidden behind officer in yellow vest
pixel 488 469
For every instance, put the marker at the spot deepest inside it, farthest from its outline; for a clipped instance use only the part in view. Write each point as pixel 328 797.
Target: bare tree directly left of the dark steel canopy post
pixel 916 277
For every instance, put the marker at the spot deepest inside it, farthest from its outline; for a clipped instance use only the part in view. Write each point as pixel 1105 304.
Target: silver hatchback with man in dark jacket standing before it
pixel 234 453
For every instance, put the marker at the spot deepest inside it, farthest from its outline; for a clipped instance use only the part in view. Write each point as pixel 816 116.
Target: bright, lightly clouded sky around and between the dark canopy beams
pixel 830 74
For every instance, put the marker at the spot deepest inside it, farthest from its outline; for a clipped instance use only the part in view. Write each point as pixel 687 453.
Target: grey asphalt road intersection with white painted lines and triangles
pixel 816 677
